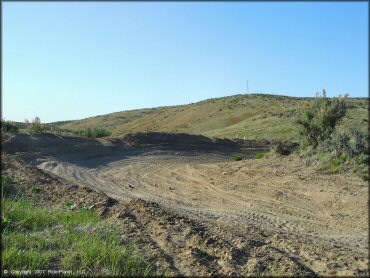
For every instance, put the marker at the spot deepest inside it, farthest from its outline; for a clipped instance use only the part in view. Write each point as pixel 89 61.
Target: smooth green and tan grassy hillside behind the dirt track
pixel 255 116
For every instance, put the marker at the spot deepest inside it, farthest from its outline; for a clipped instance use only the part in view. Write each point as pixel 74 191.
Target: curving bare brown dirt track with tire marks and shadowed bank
pixel 198 212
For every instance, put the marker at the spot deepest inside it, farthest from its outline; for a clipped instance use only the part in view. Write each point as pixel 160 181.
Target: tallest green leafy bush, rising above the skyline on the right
pixel 318 119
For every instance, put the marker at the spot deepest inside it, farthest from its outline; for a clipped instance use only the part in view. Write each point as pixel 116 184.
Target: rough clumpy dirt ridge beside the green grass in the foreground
pixel 197 249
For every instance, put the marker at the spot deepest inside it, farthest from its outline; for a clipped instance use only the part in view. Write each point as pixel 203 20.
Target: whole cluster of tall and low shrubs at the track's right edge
pixel 326 143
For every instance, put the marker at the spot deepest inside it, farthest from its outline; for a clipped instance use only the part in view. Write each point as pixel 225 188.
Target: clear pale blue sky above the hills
pixel 64 61
